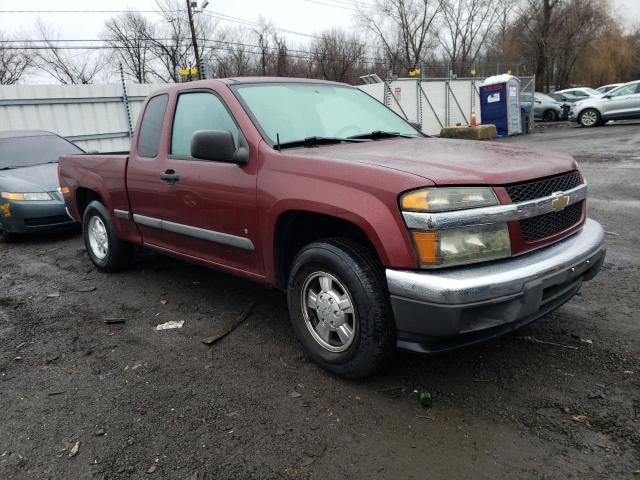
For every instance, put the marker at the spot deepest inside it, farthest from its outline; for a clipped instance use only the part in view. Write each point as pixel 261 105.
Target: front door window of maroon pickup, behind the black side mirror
pixel 198 111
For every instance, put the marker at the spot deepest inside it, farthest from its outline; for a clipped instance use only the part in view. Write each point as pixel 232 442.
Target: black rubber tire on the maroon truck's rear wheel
pixel 118 252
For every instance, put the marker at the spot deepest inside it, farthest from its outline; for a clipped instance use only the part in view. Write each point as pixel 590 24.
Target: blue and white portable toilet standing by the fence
pixel 500 104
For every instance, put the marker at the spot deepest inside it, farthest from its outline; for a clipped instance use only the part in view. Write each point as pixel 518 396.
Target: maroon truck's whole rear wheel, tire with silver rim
pixel 107 252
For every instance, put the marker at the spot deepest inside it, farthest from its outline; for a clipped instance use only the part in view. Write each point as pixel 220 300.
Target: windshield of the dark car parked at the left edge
pixel 26 151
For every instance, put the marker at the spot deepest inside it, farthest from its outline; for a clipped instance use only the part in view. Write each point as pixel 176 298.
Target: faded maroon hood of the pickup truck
pixel 450 162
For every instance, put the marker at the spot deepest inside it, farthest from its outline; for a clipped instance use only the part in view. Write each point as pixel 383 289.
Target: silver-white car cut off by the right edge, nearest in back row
pixel 622 103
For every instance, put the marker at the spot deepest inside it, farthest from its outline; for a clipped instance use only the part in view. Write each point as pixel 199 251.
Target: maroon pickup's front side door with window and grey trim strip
pixel 210 208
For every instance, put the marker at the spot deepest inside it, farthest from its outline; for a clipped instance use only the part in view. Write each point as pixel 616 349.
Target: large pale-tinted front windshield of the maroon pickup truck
pixel 298 111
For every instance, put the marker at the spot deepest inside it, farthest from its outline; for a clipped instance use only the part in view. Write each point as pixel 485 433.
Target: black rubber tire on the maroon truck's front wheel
pixel 357 269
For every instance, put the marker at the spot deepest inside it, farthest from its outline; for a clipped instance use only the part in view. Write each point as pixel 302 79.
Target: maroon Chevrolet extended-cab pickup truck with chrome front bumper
pixel 382 238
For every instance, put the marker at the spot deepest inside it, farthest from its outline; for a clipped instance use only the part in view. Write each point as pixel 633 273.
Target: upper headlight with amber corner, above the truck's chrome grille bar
pixel 447 199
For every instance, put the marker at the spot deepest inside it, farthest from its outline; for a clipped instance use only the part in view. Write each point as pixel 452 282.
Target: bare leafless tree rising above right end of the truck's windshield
pixel 404 28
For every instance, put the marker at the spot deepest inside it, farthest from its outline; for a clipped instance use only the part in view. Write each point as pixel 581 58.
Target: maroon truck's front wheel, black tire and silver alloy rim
pixel 339 308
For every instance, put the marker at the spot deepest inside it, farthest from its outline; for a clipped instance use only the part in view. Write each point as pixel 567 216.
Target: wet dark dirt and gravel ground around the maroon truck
pixel 557 400
